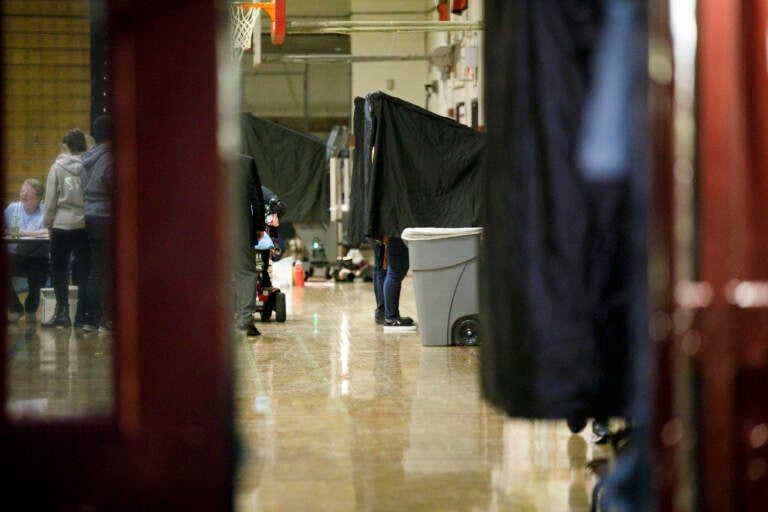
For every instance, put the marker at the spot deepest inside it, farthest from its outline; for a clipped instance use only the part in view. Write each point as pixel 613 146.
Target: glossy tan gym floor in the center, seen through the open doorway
pixel 334 415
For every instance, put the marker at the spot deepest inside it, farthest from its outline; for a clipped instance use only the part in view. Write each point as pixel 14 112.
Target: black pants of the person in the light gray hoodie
pixel 64 244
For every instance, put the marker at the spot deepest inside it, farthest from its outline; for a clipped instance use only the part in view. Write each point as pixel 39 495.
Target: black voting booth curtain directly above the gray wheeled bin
pixel 424 170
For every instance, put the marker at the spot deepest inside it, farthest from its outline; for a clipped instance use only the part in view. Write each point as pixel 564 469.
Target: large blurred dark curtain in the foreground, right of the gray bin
pixel 558 264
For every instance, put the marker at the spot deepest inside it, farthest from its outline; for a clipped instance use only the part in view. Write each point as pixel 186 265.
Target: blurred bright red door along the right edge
pixel 711 408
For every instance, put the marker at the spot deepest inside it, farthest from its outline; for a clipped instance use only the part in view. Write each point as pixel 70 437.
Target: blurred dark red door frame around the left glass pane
pixel 169 446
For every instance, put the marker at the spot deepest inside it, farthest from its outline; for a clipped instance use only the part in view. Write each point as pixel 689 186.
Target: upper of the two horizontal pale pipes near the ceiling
pixel 349 27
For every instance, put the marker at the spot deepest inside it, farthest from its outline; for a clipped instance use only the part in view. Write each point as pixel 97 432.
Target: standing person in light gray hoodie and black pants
pixel 65 220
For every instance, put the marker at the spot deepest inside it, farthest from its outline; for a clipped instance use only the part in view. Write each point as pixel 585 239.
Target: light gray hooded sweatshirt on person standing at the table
pixel 64 195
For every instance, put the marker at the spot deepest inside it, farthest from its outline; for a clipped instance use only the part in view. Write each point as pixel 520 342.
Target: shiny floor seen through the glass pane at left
pixel 58 373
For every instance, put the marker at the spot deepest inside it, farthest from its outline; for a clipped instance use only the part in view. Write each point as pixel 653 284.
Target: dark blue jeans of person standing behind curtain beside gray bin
pixel 390 265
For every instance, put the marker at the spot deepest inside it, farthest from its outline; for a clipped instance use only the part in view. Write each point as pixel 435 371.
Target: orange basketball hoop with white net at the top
pixel 243 18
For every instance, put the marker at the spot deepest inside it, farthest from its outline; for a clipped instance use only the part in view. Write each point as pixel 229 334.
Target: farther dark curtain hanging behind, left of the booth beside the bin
pixel 292 164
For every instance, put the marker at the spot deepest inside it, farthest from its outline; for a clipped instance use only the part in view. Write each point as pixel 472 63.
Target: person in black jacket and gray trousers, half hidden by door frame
pixel 251 229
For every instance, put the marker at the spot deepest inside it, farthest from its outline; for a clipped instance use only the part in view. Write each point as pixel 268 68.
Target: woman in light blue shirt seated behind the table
pixel 27 260
